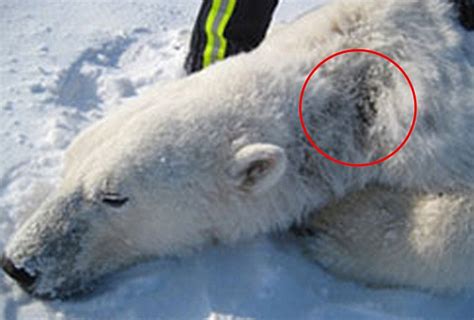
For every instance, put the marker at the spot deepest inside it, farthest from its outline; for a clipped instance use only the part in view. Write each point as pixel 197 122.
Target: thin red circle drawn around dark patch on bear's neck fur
pixel 350 164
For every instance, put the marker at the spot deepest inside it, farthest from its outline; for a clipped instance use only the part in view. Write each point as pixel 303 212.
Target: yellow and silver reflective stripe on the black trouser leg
pixel 211 32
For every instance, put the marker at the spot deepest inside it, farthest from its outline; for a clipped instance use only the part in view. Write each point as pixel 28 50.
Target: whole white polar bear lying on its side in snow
pixel 220 156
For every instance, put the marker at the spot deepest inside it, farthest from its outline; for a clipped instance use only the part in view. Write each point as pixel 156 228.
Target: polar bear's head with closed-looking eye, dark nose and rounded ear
pixel 155 181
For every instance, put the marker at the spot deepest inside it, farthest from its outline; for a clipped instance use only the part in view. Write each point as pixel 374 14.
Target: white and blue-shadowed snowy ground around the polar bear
pixel 64 64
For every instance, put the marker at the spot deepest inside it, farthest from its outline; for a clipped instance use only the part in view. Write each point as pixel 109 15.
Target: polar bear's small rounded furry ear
pixel 257 167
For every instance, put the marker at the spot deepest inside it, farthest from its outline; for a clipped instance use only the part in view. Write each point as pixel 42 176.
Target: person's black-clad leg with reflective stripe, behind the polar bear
pixel 227 27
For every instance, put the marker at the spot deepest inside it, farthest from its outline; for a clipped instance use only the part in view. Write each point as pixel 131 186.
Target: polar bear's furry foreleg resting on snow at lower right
pixel 382 237
